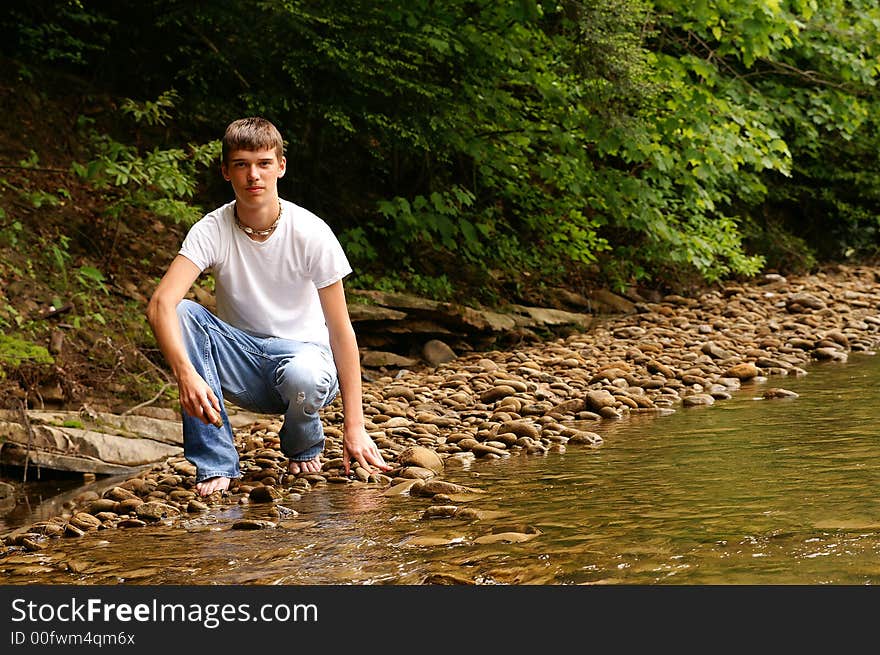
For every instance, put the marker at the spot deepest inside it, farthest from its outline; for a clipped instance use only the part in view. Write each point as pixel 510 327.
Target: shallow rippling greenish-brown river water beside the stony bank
pixel 747 491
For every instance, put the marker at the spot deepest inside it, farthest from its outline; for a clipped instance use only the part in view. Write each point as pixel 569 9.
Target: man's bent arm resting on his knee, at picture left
pixel 196 397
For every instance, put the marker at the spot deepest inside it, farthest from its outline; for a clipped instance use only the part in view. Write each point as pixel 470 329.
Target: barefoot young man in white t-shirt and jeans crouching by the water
pixel 282 340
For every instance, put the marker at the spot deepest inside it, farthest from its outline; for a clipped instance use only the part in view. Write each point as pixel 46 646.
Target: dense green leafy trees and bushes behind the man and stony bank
pixel 456 143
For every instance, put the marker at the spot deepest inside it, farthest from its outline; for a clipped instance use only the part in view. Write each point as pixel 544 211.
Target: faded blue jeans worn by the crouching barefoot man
pixel 267 375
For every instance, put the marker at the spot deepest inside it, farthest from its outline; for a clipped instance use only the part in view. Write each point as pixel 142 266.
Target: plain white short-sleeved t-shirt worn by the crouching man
pixel 269 288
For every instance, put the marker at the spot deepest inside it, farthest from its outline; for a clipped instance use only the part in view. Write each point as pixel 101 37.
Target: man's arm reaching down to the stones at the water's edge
pixel 356 443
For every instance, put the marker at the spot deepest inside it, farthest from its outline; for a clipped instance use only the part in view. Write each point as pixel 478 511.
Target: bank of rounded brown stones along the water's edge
pixel 669 355
